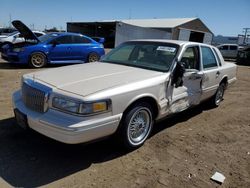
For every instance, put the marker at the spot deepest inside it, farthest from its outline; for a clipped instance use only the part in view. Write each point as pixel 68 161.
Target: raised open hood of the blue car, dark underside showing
pixel 25 31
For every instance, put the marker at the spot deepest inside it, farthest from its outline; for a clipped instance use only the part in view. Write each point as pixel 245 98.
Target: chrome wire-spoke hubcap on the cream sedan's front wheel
pixel 139 126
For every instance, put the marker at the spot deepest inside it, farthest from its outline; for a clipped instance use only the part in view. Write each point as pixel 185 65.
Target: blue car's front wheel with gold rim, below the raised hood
pixel 37 60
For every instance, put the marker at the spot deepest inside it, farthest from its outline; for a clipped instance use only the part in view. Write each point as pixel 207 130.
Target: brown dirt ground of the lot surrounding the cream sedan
pixel 184 150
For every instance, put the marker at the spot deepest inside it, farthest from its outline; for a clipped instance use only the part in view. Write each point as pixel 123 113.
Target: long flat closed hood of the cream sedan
pixel 92 77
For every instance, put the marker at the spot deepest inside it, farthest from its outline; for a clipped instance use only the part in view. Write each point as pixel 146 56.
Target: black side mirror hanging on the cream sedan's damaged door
pixel 177 76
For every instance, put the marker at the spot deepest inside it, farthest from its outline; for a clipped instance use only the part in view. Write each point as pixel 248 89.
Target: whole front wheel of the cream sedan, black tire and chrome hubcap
pixel 136 126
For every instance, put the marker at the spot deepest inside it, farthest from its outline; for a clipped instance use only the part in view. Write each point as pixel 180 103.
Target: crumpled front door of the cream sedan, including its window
pixel 189 93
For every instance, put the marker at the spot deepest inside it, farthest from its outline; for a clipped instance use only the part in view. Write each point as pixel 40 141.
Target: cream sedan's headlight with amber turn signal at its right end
pixel 82 108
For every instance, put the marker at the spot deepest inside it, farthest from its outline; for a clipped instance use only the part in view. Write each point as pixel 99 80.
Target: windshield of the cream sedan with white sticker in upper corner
pixel 157 56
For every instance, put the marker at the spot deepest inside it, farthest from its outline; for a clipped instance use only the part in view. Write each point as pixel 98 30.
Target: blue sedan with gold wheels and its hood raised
pixel 51 48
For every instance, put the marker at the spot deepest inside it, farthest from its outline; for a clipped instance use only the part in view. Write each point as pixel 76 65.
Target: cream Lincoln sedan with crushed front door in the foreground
pixel 134 85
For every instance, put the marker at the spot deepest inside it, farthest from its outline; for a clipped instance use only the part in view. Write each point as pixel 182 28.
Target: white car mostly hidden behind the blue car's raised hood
pixel 16 37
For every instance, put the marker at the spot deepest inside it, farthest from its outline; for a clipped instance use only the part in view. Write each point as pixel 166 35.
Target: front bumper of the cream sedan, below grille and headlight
pixel 67 128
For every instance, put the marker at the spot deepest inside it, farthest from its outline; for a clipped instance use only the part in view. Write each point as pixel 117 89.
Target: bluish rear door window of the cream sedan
pixel 208 58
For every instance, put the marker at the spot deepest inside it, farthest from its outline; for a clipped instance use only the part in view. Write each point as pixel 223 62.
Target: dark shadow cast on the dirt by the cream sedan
pixel 28 159
